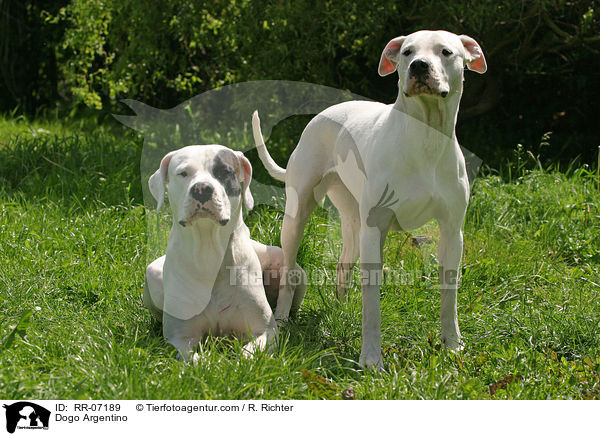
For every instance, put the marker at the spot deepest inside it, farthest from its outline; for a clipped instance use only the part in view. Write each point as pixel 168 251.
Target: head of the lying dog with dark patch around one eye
pixel 205 182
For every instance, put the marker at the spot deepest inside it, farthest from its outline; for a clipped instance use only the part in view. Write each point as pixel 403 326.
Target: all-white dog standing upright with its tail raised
pixel 386 167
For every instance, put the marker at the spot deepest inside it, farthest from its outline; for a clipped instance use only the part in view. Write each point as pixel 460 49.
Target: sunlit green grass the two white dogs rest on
pixel 73 254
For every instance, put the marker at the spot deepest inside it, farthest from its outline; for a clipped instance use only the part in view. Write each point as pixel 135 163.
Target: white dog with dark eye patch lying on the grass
pixel 211 278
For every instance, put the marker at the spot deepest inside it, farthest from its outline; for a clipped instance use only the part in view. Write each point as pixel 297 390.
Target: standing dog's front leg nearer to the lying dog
pixel 371 241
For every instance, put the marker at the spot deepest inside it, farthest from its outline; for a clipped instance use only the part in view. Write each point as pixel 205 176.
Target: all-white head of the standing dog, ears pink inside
pixel 431 62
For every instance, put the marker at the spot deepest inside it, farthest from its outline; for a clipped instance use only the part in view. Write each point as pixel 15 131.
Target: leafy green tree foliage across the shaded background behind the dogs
pixel 543 55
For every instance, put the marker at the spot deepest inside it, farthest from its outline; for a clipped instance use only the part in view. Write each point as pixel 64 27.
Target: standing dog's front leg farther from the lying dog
pixel 449 253
